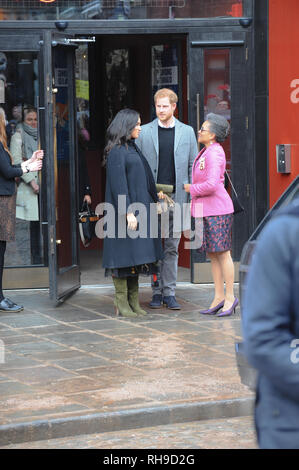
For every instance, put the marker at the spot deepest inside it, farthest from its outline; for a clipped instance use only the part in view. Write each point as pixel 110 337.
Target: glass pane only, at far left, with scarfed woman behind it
pixel 19 73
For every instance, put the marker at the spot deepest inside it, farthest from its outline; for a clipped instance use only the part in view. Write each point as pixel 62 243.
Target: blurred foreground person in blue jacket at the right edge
pixel 271 329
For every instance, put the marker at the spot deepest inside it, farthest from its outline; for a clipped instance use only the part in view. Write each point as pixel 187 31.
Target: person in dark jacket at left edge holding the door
pixel 8 173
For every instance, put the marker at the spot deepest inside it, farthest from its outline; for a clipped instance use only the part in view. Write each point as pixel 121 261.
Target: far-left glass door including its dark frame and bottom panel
pixel 26 256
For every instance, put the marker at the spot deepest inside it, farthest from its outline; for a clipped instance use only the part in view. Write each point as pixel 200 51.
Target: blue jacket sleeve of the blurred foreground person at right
pixel 268 303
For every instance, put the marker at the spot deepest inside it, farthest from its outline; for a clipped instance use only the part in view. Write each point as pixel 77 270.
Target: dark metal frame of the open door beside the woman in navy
pixel 63 283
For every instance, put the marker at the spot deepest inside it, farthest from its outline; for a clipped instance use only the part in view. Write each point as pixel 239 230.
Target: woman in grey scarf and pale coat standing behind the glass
pixel 23 144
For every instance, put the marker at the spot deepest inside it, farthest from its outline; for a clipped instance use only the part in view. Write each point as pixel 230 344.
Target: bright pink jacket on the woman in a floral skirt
pixel 209 196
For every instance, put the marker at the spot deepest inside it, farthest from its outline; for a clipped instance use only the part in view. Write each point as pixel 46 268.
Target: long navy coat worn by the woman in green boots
pixel 126 176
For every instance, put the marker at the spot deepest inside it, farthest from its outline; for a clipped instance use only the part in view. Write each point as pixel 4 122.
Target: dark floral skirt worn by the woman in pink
pixel 217 233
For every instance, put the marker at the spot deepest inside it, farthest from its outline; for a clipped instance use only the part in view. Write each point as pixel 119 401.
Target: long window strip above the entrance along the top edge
pixel 117 9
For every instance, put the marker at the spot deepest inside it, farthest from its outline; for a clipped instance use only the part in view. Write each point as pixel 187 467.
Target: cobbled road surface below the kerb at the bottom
pixel 233 433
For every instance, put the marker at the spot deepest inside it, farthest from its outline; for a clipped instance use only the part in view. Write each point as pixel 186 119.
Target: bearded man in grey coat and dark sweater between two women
pixel 170 148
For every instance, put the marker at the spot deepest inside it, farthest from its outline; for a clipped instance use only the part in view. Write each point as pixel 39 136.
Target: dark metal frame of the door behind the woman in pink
pixel 240 73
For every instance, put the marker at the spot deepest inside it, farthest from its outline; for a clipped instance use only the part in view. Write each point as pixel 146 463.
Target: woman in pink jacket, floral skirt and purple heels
pixel 211 201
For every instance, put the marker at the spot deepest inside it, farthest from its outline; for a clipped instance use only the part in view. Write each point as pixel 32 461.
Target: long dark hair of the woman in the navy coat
pixel 120 130
